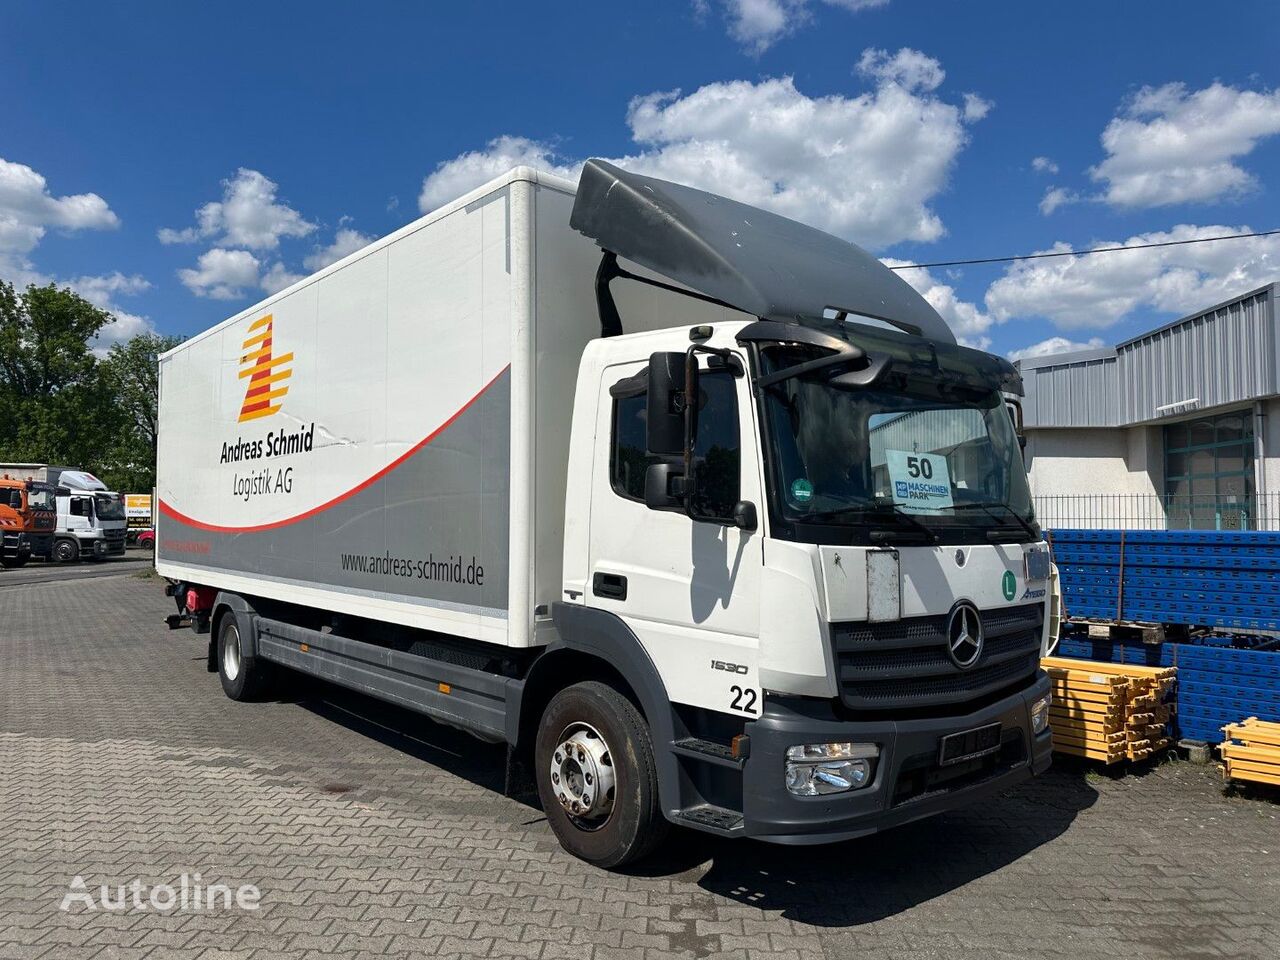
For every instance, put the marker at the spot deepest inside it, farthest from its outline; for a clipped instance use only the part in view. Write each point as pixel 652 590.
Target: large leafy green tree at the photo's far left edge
pixel 56 405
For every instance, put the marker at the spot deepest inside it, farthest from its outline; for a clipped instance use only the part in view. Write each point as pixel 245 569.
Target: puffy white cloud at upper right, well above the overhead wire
pixel 1173 147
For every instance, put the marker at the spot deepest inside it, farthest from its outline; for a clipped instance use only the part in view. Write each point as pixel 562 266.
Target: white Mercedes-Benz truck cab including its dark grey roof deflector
pixel 816 523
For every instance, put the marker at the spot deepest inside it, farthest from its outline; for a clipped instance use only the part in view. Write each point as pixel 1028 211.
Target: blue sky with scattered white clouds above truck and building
pixel 913 129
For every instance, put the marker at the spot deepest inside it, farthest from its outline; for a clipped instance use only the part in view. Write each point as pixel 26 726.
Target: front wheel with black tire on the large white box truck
pixel 597 778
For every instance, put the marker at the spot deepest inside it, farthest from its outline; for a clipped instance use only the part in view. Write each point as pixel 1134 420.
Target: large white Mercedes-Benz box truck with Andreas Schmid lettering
pixel 701 511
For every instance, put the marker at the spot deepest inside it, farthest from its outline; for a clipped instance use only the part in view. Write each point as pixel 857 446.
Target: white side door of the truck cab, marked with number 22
pixel 688 589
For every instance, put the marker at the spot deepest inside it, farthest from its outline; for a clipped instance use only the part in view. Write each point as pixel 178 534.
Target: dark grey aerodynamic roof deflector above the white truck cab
pixel 738 255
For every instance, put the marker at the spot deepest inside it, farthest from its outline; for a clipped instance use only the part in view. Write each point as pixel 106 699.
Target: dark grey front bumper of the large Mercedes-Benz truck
pixel 908 784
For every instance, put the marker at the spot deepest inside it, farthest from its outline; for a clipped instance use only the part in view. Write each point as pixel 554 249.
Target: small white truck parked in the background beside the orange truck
pixel 90 518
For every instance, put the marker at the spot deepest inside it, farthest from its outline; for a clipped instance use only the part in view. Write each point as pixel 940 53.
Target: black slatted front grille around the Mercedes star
pixel 904 665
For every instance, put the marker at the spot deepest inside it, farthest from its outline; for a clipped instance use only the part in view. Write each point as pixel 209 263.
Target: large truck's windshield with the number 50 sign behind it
pixel 907 459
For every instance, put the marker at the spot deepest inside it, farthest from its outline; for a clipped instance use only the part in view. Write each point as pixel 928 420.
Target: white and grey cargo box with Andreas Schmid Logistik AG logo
pixel 388 437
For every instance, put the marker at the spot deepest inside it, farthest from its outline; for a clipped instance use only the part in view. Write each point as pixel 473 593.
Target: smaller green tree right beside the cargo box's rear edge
pixel 132 377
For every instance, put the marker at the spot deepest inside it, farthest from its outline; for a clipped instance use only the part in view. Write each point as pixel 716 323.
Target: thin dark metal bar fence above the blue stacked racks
pixel 1140 511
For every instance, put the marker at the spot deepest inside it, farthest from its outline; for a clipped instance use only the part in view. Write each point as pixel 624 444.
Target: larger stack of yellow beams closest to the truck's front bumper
pixel 1109 712
